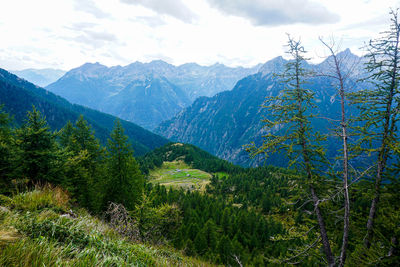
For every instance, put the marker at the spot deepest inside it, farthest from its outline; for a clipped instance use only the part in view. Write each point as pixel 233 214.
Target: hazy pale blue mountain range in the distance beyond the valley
pixel 171 88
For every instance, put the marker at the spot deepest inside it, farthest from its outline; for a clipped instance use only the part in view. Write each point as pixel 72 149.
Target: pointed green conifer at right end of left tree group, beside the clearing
pixel 124 180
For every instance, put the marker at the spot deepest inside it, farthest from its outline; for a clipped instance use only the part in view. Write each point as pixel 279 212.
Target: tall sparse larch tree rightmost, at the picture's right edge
pixel 379 108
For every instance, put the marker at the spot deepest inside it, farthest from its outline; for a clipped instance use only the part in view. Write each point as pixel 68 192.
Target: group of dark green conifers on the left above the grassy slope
pixel 73 159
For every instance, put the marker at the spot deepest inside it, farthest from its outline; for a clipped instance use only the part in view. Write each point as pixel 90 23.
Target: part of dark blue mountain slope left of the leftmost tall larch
pixel 223 123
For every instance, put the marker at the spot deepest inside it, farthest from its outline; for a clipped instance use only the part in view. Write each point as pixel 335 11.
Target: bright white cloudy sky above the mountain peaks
pixel 65 34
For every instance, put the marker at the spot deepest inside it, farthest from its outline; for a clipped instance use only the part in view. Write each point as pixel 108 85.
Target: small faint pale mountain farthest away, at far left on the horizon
pixel 41 77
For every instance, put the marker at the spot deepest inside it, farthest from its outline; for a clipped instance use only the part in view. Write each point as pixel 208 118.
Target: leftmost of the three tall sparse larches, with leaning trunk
pixel 292 110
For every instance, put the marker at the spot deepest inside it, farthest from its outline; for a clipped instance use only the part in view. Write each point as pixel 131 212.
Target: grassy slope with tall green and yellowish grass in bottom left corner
pixel 33 232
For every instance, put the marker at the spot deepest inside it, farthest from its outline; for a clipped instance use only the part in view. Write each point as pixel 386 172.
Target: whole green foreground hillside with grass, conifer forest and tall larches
pixel 316 212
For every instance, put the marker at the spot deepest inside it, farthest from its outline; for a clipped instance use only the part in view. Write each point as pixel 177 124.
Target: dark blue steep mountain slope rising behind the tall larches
pixel 223 124
